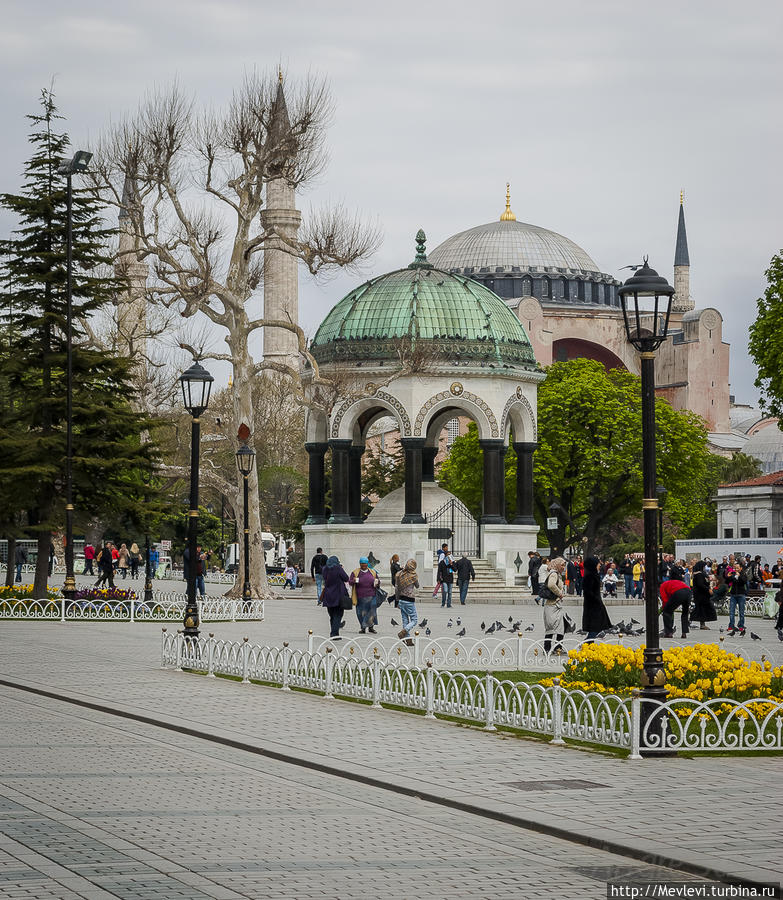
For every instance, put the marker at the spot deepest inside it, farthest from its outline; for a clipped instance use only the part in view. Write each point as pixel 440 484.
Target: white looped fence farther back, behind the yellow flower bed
pixel 520 652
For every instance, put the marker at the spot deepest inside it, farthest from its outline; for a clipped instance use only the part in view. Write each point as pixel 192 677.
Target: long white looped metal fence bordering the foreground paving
pixel 554 711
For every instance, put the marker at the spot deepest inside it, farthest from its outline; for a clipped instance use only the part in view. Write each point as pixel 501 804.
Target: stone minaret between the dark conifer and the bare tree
pixel 132 303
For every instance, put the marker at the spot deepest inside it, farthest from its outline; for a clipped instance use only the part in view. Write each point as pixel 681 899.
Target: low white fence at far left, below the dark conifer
pixel 165 607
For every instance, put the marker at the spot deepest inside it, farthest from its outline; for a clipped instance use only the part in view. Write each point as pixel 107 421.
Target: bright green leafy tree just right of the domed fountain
pixel 589 457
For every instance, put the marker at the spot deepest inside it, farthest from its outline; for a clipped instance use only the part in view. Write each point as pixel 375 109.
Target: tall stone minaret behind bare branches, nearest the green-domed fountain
pixel 281 274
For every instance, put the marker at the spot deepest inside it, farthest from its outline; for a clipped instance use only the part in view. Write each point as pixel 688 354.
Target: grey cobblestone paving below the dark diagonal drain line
pixel 97 807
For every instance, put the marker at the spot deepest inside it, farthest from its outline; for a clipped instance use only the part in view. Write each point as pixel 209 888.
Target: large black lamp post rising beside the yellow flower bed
pixel 646 298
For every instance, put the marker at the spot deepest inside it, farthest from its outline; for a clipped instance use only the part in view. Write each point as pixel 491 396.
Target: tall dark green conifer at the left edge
pixel 109 456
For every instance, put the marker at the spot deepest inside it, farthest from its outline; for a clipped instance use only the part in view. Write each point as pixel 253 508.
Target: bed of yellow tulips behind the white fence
pixel 698 673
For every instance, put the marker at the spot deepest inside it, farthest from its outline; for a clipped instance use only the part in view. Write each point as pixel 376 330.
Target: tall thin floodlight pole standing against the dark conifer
pixel 78 163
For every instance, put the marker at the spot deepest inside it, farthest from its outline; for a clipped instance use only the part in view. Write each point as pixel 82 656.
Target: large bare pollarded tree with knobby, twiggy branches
pixel 192 186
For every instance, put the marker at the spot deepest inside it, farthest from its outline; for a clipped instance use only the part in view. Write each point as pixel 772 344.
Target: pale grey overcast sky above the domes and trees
pixel 598 113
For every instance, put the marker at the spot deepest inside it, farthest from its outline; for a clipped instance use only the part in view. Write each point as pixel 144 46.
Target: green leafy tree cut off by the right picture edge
pixel 766 339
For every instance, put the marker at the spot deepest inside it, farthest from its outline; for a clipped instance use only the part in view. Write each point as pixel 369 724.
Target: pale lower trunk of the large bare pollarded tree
pixel 244 375
